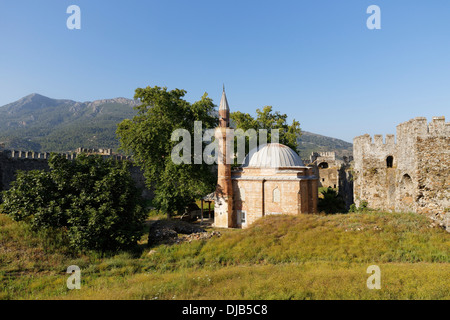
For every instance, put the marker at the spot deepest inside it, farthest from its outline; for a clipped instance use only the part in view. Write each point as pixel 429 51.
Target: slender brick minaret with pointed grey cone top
pixel 223 206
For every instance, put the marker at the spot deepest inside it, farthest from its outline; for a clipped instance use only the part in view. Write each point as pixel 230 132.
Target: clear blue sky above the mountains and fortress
pixel 313 60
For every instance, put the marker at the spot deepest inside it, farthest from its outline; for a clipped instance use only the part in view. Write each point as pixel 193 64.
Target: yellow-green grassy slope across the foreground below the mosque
pixel 283 257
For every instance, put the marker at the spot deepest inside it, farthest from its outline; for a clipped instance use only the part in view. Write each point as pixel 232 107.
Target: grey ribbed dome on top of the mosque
pixel 272 155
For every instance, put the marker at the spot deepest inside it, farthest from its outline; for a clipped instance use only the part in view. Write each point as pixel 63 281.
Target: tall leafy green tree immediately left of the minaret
pixel 147 137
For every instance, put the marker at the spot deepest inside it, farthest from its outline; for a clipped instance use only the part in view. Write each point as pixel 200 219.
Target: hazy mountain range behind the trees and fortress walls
pixel 39 123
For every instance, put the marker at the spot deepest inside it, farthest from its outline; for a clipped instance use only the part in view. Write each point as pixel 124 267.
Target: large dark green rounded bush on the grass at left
pixel 93 200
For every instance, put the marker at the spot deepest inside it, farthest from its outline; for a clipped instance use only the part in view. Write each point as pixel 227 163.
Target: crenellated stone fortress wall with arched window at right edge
pixel 410 174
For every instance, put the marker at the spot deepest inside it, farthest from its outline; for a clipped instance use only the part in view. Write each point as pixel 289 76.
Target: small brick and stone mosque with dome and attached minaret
pixel 272 180
